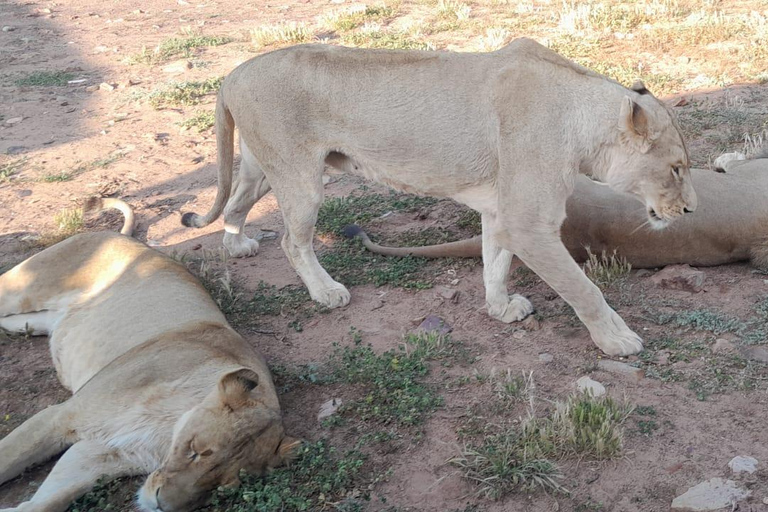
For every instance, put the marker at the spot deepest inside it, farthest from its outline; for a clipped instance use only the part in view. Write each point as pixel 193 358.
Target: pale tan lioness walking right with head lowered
pixel 505 133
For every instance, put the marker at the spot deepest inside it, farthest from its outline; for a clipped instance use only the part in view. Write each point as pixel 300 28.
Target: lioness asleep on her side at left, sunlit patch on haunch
pixel 161 383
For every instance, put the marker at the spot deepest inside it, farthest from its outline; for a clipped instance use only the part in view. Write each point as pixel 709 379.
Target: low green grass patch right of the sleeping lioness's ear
pixel 393 383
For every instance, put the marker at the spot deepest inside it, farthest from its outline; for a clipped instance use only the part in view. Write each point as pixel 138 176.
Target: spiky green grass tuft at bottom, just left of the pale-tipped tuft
pixel 501 464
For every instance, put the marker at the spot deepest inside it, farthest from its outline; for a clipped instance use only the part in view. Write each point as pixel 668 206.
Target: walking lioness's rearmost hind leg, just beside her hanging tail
pixel 250 186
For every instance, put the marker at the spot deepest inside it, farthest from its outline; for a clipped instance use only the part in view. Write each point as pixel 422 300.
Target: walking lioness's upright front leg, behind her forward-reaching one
pixel 496 262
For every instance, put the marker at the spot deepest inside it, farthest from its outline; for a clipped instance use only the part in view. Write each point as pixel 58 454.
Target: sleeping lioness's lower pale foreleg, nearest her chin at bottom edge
pixel 76 472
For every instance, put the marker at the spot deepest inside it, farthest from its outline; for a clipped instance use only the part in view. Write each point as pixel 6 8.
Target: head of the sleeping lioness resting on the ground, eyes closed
pixel 230 430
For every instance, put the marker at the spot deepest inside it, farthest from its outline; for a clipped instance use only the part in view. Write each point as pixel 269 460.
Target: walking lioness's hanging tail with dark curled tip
pixel 225 142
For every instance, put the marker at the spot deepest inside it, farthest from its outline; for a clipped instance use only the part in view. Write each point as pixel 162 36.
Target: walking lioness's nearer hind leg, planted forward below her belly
pixel 300 198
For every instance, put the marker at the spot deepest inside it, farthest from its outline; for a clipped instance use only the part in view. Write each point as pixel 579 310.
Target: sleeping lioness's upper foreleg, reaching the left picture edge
pixel 36 440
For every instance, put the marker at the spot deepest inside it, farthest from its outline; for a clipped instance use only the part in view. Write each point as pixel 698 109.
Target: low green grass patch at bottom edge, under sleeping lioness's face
pixel 320 478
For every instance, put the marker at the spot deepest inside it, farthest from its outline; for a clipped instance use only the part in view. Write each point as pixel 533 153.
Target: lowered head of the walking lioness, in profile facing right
pixel 651 161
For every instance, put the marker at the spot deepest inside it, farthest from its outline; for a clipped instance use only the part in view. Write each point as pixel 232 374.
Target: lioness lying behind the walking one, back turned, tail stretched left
pixel 730 225
